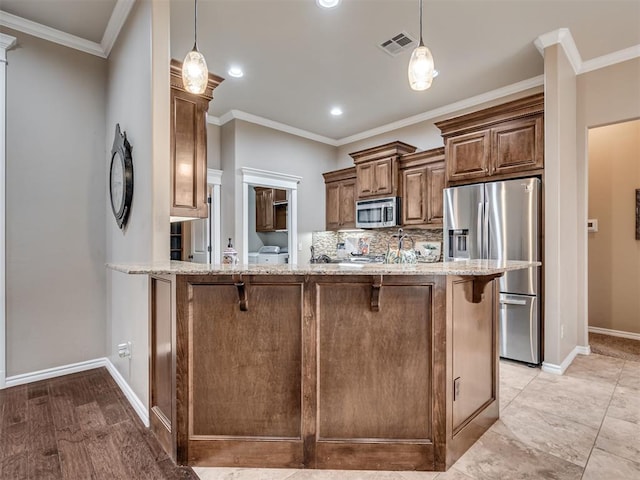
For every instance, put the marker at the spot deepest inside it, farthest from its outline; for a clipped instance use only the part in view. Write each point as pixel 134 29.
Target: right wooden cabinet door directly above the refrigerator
pixel 518 146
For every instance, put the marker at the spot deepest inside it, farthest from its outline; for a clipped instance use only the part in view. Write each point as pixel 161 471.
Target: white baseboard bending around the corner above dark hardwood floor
pixel 54 372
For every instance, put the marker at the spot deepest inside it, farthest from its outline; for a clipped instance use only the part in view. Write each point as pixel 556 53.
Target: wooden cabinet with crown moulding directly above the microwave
pixel 377 169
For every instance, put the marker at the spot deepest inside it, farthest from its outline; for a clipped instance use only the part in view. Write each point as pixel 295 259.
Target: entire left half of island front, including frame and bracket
pixel 240 344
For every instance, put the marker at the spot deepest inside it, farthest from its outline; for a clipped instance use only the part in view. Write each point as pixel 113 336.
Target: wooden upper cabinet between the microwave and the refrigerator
pixel 422 182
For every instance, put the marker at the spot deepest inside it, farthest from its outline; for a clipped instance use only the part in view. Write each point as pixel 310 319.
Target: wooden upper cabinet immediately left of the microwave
pixel 340 201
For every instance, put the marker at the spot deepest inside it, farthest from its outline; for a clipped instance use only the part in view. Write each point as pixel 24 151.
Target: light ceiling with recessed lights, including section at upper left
pixel 300 60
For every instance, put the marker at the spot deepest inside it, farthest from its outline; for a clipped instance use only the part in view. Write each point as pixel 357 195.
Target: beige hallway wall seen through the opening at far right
pixel 613 250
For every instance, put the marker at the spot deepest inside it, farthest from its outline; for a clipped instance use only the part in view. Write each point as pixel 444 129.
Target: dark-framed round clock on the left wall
pixel 121 178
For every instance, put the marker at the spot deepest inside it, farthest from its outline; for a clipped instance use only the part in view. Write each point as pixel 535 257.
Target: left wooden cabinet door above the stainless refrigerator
pixel 468 156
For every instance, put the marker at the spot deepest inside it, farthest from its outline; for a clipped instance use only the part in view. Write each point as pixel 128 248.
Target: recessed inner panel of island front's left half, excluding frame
pixel 245 372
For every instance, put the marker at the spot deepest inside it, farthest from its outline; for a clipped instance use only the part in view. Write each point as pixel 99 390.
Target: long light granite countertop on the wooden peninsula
pixel 459 267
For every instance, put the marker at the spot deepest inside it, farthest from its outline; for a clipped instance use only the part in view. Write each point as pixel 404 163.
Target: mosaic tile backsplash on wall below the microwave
pixel 375 241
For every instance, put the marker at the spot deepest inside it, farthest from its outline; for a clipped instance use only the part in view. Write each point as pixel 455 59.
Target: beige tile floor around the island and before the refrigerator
pixel 581 425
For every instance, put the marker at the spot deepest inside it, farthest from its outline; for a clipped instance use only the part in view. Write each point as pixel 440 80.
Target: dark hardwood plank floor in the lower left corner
pixel 78 427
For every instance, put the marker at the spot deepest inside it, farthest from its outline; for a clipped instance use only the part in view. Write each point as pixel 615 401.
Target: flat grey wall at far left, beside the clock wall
pixel 55 212
